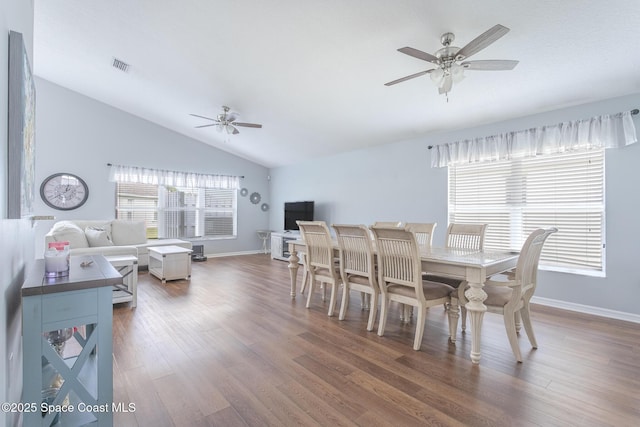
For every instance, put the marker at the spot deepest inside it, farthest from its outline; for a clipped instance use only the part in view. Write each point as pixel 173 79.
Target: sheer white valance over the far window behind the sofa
pixel 134 174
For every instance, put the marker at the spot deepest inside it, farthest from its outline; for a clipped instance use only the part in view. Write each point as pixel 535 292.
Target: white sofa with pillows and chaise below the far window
pixel 108 238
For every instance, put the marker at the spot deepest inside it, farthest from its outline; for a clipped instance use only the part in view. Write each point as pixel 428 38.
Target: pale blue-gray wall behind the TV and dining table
pixel 396 182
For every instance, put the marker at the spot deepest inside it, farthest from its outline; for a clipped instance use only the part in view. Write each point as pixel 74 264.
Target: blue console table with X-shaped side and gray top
pixel 82 382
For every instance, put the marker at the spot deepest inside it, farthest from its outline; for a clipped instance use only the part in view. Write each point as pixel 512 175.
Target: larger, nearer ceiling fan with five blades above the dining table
pixel 448 59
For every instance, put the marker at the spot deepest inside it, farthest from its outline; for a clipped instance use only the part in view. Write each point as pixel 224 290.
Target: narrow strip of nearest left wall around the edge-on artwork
pixel 16 236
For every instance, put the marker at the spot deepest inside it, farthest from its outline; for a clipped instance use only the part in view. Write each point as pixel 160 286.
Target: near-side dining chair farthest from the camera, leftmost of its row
pixel 319 260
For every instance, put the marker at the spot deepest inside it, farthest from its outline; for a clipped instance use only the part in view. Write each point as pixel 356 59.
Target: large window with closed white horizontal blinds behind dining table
pixel 517 196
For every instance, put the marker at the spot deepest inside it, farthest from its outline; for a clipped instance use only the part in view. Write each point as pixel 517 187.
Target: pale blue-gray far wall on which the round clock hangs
pixel 80 135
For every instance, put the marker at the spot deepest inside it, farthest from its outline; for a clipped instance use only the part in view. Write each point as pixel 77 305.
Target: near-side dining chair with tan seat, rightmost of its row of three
pixel 400 280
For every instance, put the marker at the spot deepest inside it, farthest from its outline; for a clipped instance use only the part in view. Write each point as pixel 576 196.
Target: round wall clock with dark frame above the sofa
pixel 64 191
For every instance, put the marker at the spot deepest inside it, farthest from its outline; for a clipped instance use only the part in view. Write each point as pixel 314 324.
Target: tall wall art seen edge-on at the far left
pixel 21 131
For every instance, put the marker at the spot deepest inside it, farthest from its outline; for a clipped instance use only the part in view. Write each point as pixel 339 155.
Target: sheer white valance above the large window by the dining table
pixel 606 131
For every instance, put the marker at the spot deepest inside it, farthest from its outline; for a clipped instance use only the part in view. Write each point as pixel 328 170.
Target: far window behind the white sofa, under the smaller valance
pixel 179 212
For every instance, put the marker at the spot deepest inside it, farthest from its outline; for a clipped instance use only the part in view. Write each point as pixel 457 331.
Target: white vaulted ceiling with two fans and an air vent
pixel 313 72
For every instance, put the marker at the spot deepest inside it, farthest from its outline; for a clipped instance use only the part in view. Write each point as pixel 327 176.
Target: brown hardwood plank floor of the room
pixel 230 348
